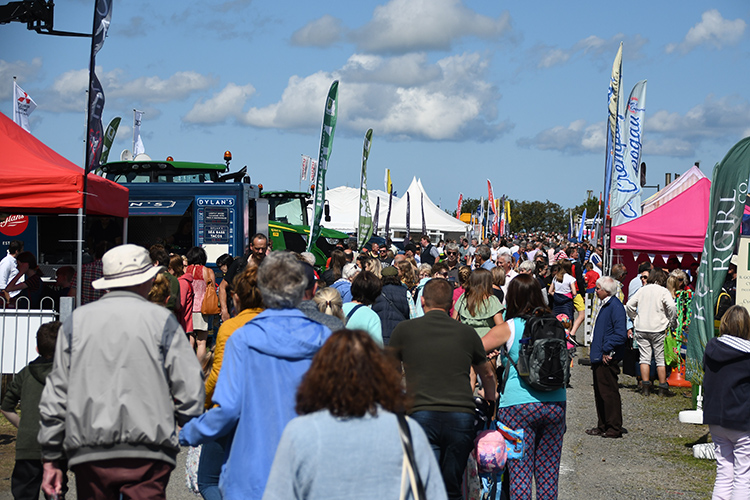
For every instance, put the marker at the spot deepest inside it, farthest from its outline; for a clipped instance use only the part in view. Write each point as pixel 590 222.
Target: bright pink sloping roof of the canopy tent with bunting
pixel 678 225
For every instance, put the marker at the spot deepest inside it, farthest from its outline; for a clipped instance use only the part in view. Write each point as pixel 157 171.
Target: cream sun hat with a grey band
pixel 126 265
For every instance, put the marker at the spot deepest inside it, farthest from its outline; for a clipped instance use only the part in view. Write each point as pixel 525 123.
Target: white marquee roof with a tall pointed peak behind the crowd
pixel 436 218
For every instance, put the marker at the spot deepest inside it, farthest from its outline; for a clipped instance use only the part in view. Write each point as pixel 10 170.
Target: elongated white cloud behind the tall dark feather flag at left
pixel 68 90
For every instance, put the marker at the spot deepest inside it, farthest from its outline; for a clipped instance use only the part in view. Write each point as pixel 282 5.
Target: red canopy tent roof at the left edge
pixel 36 179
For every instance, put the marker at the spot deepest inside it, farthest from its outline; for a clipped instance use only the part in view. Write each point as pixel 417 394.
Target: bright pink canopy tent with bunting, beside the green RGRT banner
pixel 674 230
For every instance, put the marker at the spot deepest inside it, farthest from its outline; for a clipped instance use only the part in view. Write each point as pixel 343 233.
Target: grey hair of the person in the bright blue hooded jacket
pixel 281 280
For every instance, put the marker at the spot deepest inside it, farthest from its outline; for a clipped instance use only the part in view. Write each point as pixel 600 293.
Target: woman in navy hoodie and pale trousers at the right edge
pixel 726 405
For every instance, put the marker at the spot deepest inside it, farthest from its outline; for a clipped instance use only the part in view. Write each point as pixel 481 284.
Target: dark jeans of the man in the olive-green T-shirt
pixel 451 436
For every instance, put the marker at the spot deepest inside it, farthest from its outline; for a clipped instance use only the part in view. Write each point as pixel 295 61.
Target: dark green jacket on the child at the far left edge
pixel 27 387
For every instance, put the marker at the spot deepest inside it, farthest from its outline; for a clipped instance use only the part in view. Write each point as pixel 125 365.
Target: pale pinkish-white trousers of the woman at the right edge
pixel 732 463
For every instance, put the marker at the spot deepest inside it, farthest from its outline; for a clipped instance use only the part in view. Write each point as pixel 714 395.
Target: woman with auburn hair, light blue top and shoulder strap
pixel 330 450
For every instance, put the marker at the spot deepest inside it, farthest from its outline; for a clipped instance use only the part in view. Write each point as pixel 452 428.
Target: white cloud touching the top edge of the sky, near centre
pixel 403 26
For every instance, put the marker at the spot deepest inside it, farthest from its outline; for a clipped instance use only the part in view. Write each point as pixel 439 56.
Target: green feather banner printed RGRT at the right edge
pixel 728 193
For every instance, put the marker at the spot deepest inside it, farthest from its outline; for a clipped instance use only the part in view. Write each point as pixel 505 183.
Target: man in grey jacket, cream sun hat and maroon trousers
pixel 124 376
